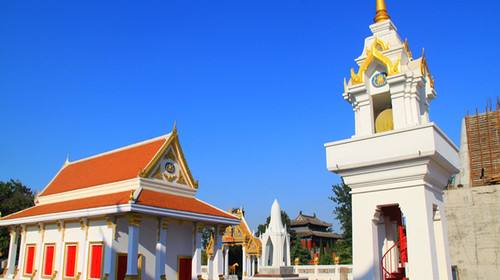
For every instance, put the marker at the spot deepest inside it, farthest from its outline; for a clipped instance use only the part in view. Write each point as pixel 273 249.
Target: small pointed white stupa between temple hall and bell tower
pixel 275 241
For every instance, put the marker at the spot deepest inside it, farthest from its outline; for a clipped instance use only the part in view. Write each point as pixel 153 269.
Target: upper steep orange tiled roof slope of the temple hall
pixel 110 167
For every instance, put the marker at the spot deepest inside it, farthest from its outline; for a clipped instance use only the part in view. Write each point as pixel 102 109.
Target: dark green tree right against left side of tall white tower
pixel 343 212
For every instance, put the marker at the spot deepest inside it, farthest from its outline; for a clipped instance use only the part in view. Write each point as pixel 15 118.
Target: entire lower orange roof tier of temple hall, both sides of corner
pixel 147 198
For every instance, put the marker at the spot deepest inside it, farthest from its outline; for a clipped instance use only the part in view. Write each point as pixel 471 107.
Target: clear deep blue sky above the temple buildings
pixel 255 86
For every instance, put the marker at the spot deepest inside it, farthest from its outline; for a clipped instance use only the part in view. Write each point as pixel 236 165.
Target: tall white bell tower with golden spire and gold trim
pixel 396 164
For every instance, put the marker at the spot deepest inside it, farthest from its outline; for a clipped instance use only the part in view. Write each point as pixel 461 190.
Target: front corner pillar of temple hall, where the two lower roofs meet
pixel 134 222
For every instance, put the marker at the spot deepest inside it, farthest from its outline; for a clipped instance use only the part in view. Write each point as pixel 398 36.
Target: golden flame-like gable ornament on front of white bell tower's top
pixel 375 52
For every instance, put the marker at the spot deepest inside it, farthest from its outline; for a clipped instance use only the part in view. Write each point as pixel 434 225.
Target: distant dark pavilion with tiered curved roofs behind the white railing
pixel 314 234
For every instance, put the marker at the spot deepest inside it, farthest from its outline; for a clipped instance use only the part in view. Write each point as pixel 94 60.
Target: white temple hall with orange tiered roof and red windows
pixel 129 213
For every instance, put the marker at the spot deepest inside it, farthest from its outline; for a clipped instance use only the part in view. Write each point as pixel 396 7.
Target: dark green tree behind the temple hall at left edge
pixel 14 197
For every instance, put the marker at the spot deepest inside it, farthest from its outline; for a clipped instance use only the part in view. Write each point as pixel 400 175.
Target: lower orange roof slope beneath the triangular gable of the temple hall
pixel 180 203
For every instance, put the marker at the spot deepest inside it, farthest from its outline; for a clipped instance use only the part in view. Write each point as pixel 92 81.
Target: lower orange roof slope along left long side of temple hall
pixel 70 205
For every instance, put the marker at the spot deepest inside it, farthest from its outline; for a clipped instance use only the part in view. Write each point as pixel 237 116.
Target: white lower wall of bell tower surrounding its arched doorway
pixel 418 213
